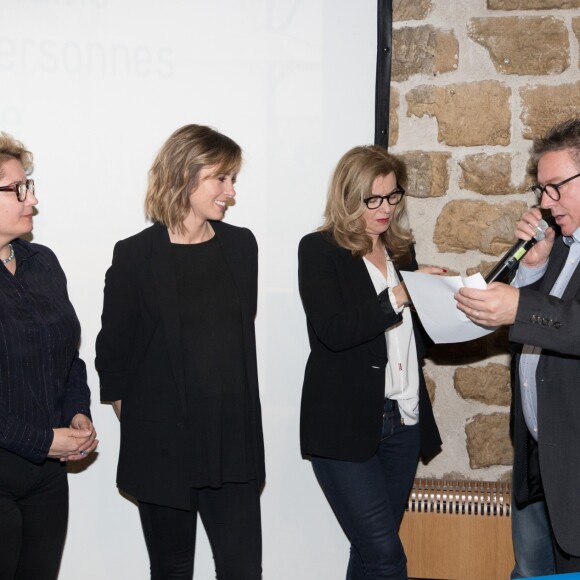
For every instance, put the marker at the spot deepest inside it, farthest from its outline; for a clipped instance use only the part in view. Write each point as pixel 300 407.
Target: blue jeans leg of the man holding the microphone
pixel 532 539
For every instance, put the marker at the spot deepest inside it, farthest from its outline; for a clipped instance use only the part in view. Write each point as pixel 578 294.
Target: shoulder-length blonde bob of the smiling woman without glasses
pixel 174 174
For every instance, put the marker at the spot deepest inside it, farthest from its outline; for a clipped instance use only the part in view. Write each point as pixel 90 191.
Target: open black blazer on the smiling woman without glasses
pixel 139 358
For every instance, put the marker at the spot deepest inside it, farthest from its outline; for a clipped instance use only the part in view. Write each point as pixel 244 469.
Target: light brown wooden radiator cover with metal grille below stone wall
pixel 458 530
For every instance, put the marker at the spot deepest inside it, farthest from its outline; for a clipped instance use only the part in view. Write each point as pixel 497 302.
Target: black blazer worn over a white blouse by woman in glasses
pixel 344 382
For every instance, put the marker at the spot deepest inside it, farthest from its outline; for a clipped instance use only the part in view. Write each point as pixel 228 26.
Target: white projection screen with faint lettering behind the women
pixel 93 88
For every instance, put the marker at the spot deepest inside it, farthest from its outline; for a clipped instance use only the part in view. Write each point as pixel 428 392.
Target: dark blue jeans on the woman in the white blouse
pixel 369 499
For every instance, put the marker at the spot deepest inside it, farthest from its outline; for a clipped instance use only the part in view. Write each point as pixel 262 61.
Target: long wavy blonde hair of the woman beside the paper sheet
pixel 351 183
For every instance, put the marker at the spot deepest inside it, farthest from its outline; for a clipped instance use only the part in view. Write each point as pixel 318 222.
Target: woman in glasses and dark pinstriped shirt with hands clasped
pixel 44 398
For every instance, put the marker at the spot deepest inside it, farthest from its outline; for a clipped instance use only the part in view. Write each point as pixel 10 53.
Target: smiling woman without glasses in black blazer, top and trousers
pixel 177 349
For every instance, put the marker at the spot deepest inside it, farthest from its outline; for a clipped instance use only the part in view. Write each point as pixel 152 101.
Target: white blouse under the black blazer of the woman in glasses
pixel 402 370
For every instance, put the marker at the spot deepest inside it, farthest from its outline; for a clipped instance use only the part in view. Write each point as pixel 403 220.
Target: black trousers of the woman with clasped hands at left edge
pixel 33 517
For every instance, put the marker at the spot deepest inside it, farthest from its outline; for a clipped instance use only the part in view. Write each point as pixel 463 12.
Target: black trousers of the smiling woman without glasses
pixel 231 518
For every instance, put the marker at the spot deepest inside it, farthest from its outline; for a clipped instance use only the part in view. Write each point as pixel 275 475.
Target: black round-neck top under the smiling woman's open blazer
pixel 212 344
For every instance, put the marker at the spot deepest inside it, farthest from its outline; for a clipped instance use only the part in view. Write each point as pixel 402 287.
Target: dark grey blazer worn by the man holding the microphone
pixel 554 325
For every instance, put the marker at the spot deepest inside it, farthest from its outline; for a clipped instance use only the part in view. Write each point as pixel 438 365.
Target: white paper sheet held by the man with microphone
pixel 432 297
